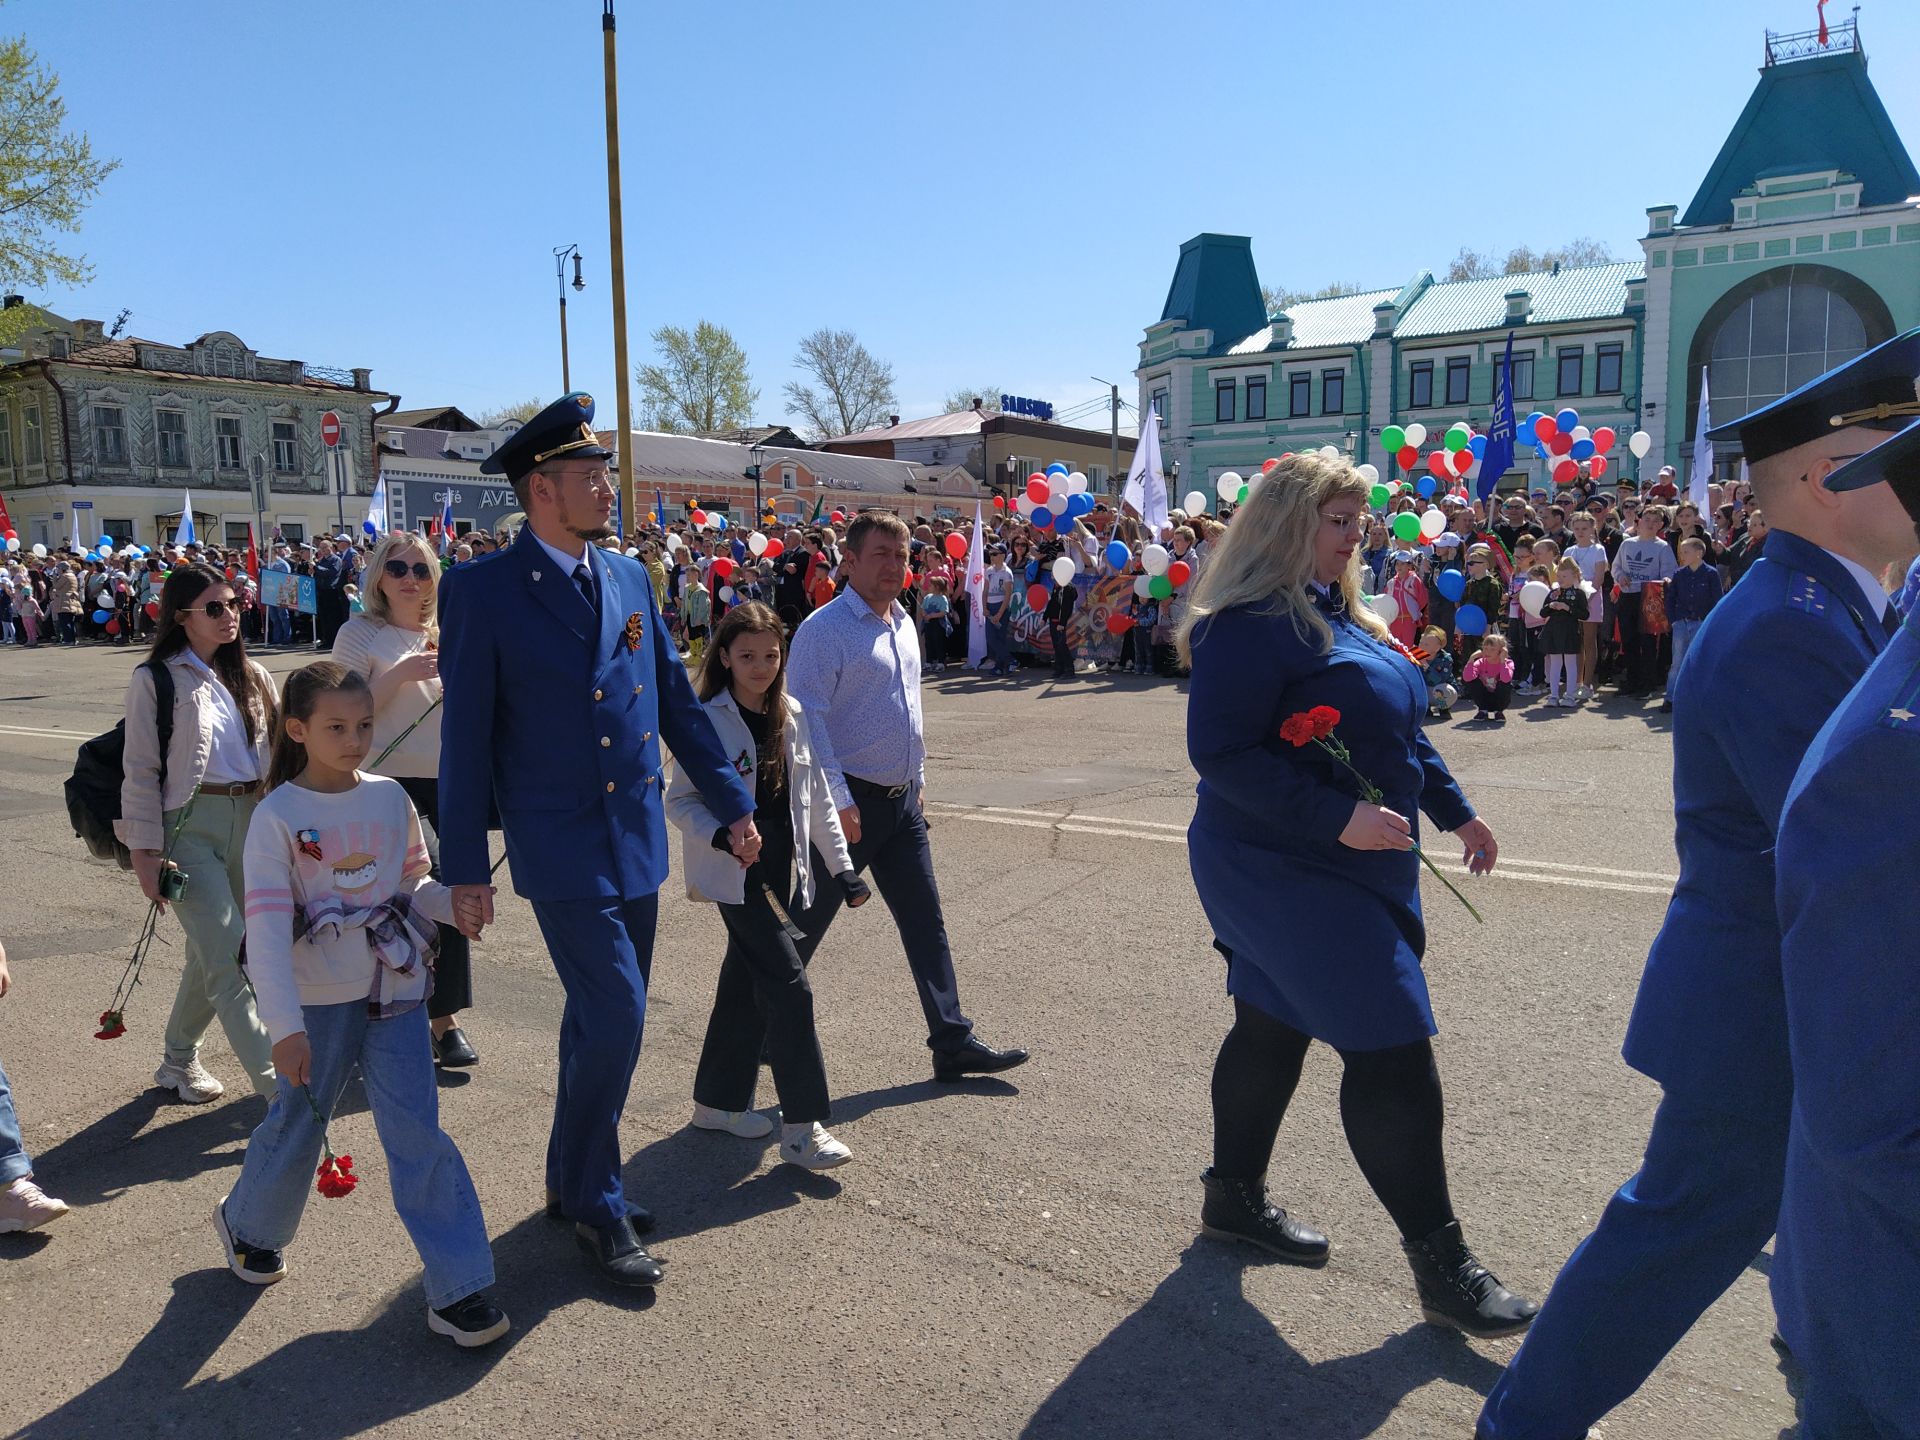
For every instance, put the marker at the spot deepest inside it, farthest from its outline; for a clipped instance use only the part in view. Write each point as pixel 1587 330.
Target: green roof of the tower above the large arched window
pixel 1810 116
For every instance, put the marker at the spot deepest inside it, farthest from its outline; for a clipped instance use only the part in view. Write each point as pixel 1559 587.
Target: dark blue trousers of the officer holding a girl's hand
pixel 604 955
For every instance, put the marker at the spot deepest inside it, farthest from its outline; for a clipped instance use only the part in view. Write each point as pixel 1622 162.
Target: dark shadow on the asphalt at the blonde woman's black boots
pixel 1199 1358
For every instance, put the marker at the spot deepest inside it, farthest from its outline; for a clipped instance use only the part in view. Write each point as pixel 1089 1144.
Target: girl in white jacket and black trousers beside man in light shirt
pixel 763 997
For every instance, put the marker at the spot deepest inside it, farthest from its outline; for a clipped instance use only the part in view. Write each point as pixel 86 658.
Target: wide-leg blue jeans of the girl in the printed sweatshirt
pixel 433 1191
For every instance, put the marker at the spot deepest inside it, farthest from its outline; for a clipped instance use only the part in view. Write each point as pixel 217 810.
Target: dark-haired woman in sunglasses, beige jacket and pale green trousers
pixel 199 800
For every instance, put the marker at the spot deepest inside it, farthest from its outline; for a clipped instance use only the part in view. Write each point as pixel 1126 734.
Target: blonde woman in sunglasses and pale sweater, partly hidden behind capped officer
pixel 396 646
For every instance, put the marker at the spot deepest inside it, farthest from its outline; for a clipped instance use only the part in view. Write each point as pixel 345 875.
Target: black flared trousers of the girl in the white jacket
pixel 763 997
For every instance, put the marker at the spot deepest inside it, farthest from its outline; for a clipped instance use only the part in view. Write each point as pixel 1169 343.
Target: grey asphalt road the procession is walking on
pixel 1001 1260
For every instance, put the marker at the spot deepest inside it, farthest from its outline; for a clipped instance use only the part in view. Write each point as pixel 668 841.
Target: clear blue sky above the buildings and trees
pixel 980 193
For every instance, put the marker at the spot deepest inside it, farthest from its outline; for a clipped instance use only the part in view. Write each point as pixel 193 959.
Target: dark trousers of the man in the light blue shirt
pixel 894 846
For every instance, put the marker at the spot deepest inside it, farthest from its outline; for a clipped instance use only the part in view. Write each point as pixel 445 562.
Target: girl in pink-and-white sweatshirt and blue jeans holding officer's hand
pixel 341 944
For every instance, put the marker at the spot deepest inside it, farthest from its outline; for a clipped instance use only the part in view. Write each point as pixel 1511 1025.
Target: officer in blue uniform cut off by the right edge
pixel 1848 1260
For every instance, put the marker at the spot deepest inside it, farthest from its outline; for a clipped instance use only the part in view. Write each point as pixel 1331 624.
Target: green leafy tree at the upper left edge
pixel 47 180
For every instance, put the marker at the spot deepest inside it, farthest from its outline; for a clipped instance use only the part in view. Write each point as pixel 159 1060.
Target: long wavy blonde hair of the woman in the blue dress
pixel 1266 556
